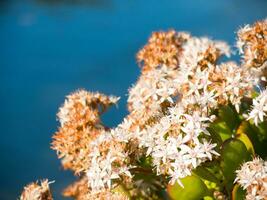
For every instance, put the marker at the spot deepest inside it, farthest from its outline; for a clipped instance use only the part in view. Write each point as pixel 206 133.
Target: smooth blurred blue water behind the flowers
pixel 49 48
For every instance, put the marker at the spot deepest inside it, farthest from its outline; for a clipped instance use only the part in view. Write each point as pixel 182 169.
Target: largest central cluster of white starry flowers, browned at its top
pixel 175 102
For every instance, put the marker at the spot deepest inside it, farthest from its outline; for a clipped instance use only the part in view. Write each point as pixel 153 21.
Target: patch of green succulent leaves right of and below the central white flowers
pixel 237 142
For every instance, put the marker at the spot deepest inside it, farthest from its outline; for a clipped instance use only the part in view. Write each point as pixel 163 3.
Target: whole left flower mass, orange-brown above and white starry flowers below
pixel 86 145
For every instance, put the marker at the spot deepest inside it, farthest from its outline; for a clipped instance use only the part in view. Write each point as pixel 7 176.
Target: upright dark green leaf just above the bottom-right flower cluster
pixel 233 154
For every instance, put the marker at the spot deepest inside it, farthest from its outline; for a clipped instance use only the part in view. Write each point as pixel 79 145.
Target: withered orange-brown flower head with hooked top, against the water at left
pixel 80 125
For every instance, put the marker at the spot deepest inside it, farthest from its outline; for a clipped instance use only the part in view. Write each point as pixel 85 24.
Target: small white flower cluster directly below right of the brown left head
pixel 107 166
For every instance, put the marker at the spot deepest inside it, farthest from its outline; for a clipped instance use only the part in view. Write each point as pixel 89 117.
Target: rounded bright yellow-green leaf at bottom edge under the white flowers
pixel 194 188
